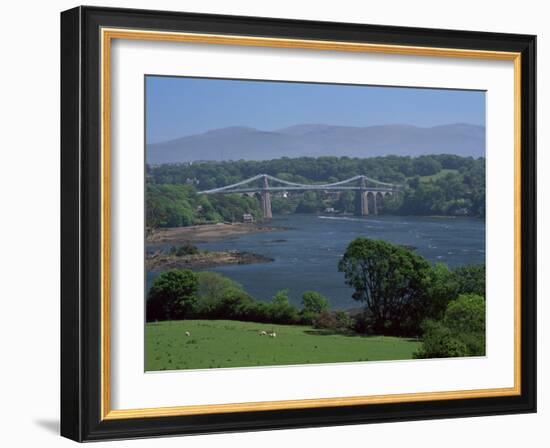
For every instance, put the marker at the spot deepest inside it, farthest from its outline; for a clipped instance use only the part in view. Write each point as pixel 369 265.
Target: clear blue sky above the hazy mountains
pixel 176 107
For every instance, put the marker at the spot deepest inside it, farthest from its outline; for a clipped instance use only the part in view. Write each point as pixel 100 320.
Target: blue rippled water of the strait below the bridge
pixel 307 249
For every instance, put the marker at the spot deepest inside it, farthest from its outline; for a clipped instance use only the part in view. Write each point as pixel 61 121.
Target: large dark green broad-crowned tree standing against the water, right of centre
pixel 391 281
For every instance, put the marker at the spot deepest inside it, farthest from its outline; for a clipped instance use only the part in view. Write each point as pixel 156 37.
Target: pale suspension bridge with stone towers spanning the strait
pixel 369 193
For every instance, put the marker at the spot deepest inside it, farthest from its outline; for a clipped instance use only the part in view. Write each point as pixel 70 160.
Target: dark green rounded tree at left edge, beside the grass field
pixel 172 295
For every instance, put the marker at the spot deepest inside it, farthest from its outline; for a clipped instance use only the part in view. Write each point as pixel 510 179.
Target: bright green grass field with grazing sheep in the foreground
pixel 226 343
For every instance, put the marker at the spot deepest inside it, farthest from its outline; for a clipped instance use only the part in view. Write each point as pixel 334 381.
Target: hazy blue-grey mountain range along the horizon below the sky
pixel 316 140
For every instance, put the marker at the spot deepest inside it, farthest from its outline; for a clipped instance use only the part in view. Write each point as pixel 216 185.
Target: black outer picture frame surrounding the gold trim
pixel 81 224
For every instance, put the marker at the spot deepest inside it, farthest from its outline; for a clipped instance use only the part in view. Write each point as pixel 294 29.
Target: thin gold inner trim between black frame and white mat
pixel 107 35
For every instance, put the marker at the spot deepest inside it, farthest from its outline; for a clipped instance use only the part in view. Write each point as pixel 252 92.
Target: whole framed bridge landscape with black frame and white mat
pixel 273 223
